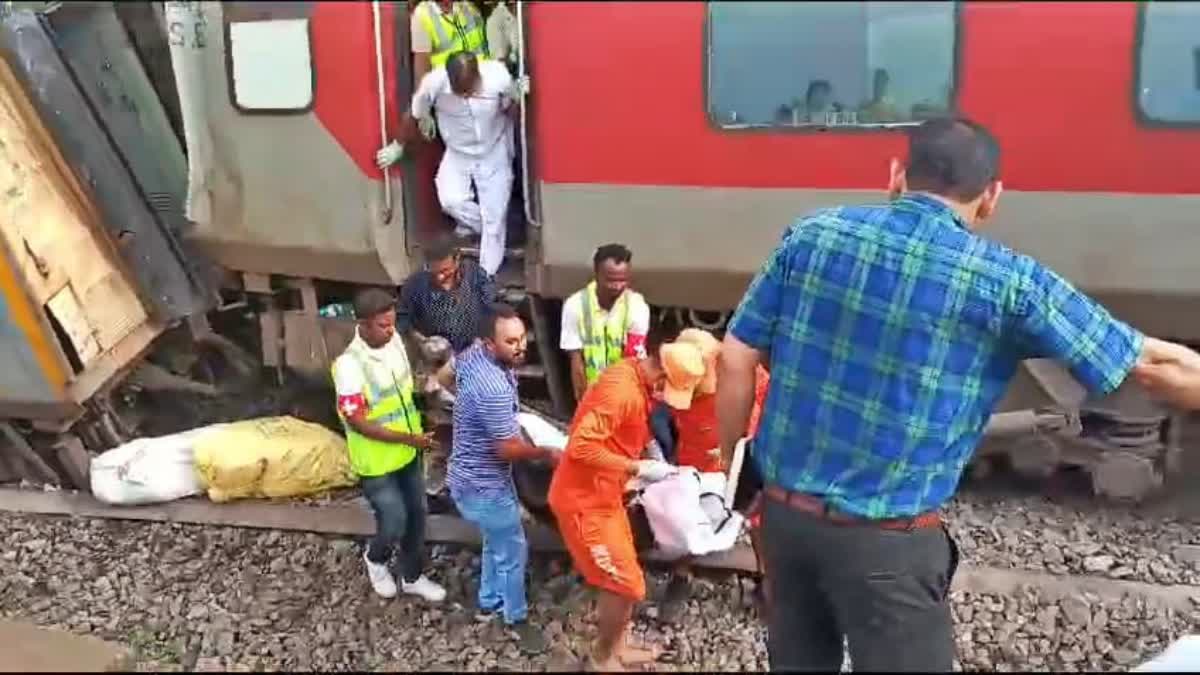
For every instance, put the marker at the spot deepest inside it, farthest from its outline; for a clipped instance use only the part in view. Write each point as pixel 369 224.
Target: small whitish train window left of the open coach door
pixel 271 65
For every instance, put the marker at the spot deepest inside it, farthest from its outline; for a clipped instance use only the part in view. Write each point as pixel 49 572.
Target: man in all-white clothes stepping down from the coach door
pixel 475 104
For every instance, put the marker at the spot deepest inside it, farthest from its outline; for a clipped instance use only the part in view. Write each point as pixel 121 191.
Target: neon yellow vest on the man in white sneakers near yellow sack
pixel 389 405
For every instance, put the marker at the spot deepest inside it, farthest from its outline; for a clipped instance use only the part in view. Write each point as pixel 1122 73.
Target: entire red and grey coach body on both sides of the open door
pixel 673 128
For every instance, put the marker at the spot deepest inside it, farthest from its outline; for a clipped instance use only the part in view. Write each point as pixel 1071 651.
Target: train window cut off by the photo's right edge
pixel 1169 63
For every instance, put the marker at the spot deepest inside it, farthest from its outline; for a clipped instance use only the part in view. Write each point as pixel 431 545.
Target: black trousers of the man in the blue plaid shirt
pixel 886 592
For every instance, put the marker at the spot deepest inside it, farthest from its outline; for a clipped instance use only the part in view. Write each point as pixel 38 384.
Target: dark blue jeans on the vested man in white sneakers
pixel 398 500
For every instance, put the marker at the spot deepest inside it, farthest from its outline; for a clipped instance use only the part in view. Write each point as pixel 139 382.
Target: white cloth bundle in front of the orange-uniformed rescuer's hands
pixel 688 516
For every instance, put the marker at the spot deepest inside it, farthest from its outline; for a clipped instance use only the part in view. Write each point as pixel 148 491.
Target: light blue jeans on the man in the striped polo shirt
pixel 506 553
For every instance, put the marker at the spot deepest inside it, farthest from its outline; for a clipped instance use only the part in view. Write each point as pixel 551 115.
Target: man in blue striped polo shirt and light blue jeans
pixel 487 440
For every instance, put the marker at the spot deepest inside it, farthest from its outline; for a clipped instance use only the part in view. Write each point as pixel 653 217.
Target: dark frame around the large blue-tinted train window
pixel 857 129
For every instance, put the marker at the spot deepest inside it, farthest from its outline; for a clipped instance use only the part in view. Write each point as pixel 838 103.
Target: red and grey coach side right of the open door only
pixel 631 145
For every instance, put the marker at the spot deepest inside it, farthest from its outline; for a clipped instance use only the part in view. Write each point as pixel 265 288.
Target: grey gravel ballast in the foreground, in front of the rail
pixel 212 599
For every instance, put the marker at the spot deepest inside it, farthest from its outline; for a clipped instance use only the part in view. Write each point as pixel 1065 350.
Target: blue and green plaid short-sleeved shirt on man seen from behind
pixel 892 333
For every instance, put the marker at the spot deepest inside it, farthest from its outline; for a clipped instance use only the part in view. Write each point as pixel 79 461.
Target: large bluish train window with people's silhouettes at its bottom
pixel 830 64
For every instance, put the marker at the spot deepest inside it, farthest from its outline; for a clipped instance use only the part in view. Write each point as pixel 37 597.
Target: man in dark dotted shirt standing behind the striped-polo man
pixel 440 310
